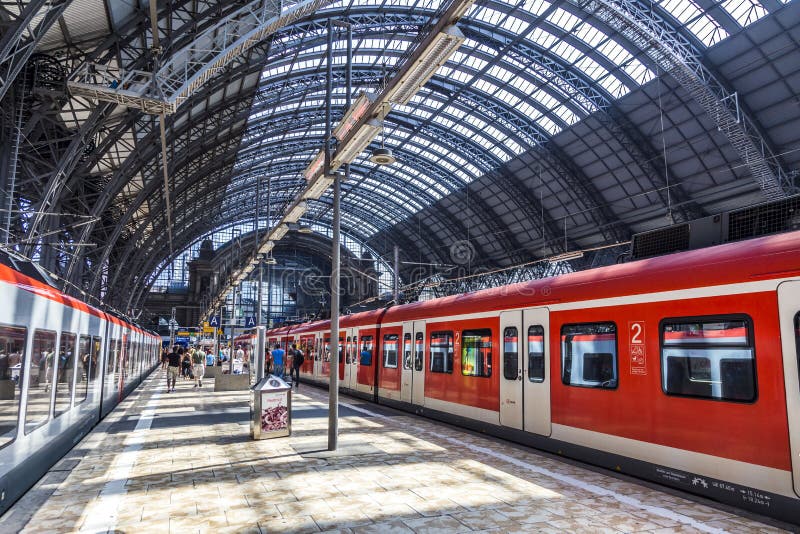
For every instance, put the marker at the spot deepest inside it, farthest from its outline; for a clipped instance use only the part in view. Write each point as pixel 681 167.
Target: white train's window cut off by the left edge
pixel 12 363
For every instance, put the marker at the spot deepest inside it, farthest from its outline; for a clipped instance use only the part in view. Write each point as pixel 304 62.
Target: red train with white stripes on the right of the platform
pixel 682 369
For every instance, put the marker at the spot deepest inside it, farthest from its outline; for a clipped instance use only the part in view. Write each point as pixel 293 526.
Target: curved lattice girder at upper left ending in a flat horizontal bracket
pixel 182 73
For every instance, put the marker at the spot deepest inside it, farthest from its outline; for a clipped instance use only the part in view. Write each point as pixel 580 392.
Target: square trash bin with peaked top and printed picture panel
pixel 272 408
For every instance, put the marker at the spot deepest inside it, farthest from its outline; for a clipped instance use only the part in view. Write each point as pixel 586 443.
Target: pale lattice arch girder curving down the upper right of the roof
pixel 675 54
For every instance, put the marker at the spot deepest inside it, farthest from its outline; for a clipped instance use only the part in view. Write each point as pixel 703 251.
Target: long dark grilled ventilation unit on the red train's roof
pixel 744 223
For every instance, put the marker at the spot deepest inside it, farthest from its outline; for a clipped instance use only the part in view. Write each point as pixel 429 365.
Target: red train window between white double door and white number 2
pixel 589 355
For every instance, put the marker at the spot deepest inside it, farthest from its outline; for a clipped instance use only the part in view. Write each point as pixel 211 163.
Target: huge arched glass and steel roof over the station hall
pixel 553 123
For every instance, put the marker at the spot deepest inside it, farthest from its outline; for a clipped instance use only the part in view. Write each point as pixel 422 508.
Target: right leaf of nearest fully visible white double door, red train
pixel 536 370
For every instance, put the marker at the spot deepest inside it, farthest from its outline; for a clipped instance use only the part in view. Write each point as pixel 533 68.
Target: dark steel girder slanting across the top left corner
pixel 20 41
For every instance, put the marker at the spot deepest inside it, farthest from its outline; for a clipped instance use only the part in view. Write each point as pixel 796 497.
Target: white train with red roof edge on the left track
pixel 63 366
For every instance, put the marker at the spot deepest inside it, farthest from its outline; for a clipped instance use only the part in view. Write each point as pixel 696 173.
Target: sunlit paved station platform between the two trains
pixel 184 462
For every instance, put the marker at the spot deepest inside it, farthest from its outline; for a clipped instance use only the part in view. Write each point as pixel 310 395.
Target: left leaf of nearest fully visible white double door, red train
pixel 511 369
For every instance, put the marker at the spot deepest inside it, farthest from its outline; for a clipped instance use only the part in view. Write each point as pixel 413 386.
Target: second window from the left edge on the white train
pixel 43 355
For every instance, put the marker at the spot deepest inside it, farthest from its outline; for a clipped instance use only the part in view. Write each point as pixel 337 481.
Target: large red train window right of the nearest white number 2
pixel 711 358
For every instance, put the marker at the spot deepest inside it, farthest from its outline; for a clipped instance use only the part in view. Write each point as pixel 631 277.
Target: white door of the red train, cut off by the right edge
pixel 789 309
